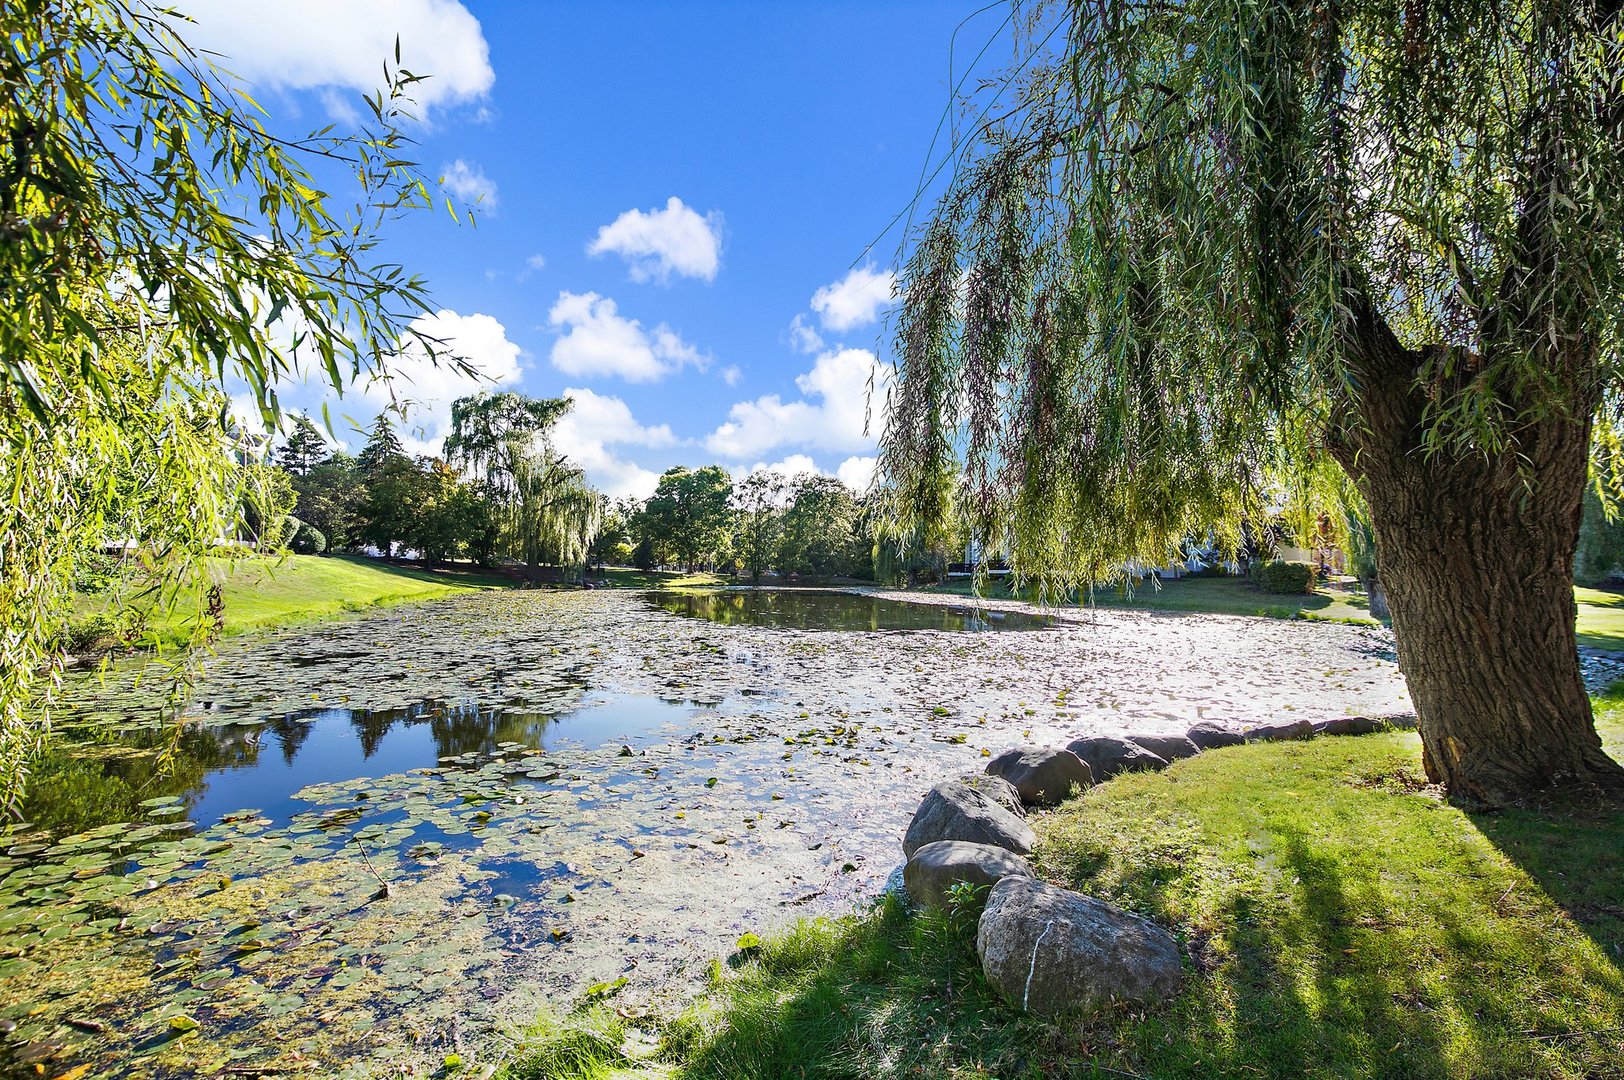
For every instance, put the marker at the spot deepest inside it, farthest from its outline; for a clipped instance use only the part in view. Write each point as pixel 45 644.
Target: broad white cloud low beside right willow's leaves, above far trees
pixel 831 417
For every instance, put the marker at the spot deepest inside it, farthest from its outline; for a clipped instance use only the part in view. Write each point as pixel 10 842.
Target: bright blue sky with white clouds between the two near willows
pixel 675 204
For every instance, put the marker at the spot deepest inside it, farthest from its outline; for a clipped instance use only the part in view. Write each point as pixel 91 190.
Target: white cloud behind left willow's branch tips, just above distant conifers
pixel 430 389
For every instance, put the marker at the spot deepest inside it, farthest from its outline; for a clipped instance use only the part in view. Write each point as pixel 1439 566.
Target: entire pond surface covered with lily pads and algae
pixel 369 844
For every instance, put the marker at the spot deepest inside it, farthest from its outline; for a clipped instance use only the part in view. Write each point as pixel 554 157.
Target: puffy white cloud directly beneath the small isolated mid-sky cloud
pixel 598 342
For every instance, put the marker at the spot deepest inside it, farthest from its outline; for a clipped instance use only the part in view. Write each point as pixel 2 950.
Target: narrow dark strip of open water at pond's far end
pixel 806 610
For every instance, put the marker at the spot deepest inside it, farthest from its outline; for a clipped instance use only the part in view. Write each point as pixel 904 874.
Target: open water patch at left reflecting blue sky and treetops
pixel 222 769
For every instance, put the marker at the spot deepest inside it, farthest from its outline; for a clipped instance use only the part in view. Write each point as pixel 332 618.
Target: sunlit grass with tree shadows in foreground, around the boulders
pixel 1341 922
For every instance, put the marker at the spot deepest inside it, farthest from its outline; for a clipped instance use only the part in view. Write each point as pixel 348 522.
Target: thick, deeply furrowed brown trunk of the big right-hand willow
pixel 1477 558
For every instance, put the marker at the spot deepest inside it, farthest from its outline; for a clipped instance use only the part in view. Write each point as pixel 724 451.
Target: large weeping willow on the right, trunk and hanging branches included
pixel 1352 251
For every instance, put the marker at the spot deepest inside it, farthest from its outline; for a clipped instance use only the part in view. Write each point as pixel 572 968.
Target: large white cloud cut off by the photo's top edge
pixel 319 45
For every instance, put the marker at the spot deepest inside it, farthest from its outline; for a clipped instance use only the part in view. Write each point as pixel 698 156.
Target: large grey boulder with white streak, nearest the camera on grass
pixel 1055 953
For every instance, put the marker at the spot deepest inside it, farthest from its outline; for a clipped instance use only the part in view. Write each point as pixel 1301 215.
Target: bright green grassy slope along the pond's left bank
pixel 275 592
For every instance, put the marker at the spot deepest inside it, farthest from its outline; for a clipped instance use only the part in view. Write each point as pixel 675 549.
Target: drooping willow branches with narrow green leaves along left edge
pixel 157 244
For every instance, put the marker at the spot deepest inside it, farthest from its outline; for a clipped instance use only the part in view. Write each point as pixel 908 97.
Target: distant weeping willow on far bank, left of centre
pixel 550 512
